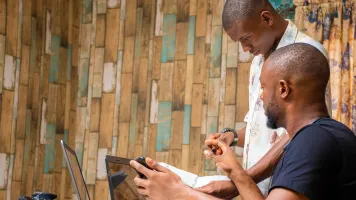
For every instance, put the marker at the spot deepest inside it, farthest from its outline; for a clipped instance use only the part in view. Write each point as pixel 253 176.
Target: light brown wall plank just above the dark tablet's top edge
pixel 123 143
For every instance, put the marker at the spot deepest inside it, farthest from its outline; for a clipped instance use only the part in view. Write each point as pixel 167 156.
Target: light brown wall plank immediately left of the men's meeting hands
pixel 195 151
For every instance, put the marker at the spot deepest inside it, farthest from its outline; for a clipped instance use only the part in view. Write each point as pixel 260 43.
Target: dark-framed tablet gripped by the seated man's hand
pixel 121 179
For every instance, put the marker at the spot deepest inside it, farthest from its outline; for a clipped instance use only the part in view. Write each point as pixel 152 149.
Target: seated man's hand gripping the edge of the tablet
pixel 160 184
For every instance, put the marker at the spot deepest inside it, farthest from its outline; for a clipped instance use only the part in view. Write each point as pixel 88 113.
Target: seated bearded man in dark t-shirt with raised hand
pixel 319 162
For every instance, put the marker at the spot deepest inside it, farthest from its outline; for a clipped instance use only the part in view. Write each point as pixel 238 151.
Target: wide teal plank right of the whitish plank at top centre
pixel 168 38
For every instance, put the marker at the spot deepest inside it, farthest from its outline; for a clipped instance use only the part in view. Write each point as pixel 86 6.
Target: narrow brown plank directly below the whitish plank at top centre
pixel 156 59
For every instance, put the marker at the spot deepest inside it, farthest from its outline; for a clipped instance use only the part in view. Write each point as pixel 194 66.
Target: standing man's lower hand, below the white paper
pixel 220 189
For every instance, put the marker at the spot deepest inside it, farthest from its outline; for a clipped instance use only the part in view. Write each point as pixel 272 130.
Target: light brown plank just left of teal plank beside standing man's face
pixel 199 60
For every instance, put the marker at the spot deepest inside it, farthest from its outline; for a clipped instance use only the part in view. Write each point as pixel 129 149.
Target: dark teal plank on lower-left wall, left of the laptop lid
pixel 49 148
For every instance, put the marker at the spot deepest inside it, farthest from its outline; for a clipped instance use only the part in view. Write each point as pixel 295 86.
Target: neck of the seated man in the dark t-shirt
pixel 298 118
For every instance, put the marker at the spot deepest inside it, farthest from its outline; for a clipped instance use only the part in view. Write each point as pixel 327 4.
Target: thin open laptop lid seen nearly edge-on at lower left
pixel 75 172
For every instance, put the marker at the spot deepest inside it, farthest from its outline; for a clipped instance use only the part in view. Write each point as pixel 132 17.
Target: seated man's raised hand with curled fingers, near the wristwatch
pixel 227 160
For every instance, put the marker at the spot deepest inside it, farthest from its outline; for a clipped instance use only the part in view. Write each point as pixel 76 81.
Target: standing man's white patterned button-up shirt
pixel 257 139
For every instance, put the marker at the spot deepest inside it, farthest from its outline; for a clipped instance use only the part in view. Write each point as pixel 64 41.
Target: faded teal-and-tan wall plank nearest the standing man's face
pixel 215 57
